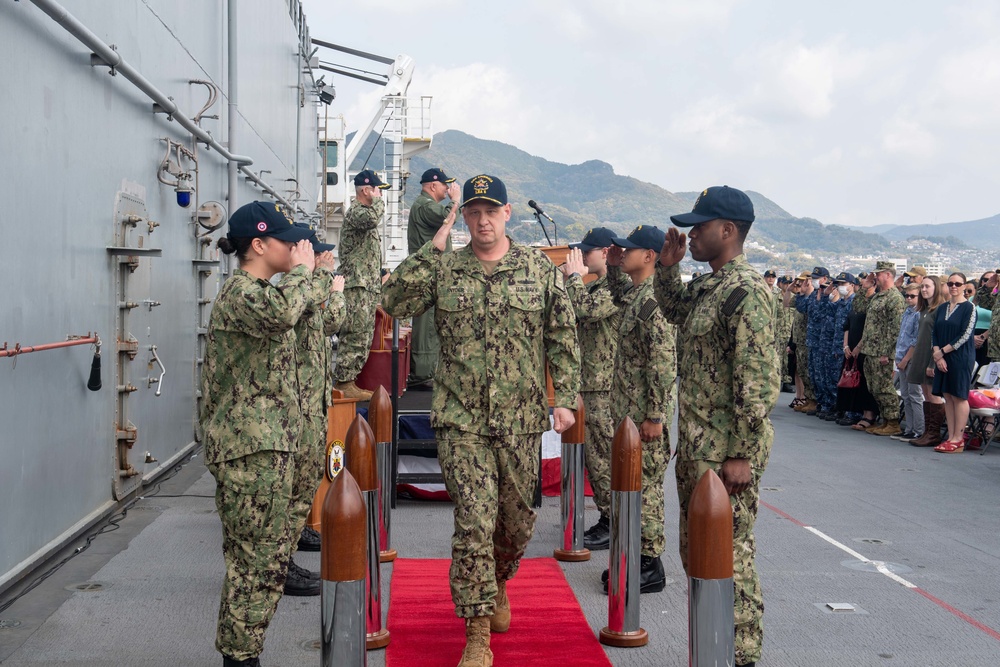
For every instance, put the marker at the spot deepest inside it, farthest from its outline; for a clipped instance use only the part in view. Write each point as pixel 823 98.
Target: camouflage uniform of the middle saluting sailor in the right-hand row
pixel 644 387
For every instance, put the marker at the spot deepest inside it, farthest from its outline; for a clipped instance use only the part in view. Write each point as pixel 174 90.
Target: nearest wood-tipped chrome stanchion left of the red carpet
pixel 343 568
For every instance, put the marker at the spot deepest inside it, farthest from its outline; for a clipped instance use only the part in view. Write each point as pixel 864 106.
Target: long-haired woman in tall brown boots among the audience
pixel 921 366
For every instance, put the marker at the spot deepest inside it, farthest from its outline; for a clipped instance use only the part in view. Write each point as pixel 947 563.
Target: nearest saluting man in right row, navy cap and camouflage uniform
pixel 729 381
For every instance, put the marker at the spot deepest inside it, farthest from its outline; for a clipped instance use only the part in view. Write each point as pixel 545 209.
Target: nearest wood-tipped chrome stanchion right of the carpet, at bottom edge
pixel 711 619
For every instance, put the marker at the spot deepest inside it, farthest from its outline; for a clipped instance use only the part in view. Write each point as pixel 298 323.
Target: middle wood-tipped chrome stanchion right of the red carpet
pixel 623 567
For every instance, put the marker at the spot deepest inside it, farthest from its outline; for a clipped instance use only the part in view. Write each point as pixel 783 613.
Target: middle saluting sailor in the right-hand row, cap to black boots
pixel 643 388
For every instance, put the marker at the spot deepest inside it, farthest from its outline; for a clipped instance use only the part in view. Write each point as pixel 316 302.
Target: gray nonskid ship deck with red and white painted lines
pixel 931 517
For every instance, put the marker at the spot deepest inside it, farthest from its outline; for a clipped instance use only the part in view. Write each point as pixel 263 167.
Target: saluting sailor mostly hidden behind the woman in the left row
pixel 321 320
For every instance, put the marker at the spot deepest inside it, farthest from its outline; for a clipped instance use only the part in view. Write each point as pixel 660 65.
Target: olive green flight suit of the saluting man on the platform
pixel 426 217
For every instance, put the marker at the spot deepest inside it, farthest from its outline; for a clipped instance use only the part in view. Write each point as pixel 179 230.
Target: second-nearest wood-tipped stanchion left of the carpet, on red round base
pixel 361 462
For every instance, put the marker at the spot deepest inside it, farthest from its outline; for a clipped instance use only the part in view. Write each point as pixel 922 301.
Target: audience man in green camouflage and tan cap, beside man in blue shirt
pixel 878 343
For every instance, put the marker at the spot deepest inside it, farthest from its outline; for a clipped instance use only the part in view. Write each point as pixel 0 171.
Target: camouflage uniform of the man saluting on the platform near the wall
pixel 360 262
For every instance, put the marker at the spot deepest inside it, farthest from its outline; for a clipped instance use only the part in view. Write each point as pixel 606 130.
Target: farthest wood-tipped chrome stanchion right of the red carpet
pixel 571 492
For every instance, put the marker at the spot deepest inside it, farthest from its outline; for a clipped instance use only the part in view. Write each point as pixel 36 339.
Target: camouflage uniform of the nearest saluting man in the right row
pixel 728 386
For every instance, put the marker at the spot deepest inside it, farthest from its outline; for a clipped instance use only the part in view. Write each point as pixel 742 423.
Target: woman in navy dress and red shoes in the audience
pixel 953 355
